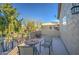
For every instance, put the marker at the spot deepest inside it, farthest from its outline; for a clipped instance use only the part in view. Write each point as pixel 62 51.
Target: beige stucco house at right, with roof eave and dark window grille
pixel 68 14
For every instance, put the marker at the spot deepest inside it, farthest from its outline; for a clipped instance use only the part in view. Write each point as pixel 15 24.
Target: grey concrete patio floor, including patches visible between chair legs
pixel 58 48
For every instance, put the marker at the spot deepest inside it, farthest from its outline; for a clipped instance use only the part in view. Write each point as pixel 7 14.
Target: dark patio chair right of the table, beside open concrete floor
pixel 47 44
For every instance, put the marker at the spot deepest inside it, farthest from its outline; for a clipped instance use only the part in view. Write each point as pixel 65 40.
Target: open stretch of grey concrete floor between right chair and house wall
pixel 58 47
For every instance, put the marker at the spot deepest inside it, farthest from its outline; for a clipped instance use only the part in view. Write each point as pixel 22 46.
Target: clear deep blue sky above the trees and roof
pixel 44 12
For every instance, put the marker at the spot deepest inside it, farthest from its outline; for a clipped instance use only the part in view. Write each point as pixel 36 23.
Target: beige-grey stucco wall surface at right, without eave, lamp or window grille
pixel 70 31
